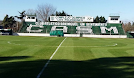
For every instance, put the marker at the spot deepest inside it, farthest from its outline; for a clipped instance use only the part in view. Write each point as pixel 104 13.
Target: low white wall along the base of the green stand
pixel 71 35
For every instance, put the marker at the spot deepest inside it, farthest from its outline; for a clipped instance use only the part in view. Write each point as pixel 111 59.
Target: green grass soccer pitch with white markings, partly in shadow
pixel 60 57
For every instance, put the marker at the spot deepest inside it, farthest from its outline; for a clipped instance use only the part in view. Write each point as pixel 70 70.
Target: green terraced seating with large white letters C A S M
pixel 68 29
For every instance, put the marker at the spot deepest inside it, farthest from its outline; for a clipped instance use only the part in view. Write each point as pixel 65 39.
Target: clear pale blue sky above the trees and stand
pixel 74 7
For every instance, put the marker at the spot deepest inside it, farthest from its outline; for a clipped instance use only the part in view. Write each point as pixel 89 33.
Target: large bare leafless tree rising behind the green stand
pixel 44 11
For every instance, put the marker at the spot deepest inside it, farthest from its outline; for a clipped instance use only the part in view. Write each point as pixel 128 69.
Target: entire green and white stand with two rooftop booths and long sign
pixel 69 26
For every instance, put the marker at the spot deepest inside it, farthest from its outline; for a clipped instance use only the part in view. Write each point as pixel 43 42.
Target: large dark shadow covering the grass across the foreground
pixel 122 67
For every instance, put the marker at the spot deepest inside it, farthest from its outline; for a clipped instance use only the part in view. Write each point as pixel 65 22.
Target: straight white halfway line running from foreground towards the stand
pixel 38 76
